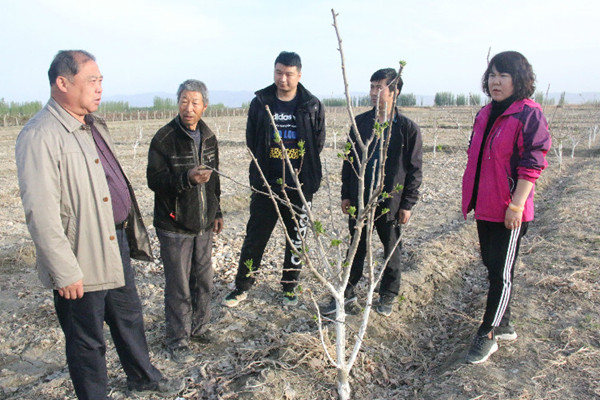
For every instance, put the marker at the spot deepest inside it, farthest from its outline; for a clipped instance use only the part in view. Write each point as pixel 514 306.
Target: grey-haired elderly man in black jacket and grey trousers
pixel 181 160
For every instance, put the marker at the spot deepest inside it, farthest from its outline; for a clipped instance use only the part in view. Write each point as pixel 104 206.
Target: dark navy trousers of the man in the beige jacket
pixel 82 322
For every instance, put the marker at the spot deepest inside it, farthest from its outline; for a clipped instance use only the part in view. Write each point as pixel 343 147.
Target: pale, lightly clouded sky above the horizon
pixel 152 46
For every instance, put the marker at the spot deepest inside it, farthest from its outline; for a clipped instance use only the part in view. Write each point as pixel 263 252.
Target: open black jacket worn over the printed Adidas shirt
pixel 310 123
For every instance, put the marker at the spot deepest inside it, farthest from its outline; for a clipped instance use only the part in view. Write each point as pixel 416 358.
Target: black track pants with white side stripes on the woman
pixel 499 251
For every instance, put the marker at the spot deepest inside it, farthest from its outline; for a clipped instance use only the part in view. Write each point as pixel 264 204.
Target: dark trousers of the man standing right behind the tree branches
pixel 389 232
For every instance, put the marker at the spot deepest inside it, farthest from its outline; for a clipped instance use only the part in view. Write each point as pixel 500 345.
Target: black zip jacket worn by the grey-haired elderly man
pixel 180 206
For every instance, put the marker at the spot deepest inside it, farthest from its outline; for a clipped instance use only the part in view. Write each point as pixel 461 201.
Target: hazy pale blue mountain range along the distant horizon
pixel 238 98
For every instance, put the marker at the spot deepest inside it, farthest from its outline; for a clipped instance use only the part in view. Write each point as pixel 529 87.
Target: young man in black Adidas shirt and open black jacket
pixel 300 120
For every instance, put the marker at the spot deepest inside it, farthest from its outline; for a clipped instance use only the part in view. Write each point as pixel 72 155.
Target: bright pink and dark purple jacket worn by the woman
pixel 515 149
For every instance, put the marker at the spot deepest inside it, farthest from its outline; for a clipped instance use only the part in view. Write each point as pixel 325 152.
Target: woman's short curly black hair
pixel 515 64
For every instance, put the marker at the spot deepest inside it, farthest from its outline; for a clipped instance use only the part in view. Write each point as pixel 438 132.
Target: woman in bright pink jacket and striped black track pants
pixel 506 155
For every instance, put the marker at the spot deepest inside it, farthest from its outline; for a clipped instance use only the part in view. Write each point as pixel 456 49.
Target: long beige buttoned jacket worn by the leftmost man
pixel 67 203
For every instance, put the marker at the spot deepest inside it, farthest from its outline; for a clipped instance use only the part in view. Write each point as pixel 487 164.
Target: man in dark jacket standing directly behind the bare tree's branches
pixel 402 178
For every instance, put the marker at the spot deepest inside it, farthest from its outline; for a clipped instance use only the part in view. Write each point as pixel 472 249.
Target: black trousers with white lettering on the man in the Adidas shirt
pixel 263 217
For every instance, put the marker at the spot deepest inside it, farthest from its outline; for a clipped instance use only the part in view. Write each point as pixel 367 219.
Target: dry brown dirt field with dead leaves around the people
pixel 265 351
